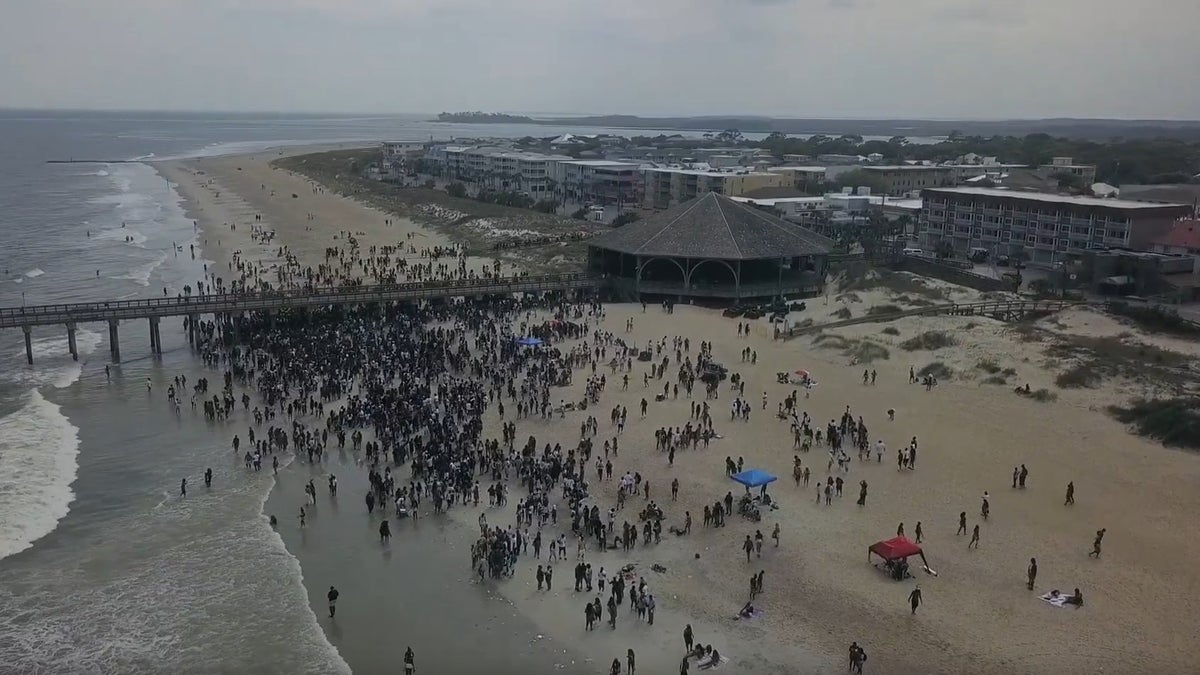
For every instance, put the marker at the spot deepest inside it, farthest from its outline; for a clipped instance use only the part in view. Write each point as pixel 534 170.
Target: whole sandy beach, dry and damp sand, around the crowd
pixel 820 592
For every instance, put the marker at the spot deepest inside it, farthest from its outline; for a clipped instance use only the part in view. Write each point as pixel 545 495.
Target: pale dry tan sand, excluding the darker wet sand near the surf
pixel 821 594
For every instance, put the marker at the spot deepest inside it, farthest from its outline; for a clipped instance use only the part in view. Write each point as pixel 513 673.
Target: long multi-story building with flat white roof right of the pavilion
pixel 1049 229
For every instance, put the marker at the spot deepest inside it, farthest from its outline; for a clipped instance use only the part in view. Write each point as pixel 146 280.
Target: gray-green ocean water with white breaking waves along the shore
pixel 103 568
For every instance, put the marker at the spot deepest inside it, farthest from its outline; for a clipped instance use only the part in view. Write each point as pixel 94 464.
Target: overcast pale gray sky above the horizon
pixel 789 58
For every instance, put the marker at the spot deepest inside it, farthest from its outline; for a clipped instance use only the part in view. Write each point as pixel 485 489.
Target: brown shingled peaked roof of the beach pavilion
pixel 713 226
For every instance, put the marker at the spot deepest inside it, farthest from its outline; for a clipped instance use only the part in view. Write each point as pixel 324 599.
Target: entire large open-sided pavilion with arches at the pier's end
pixel 712 248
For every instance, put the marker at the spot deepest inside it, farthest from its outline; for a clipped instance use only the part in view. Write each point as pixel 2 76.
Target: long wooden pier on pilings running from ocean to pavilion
pixel 229 304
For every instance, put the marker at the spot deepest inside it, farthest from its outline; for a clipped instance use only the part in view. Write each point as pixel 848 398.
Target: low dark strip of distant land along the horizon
pixel 1065 128
